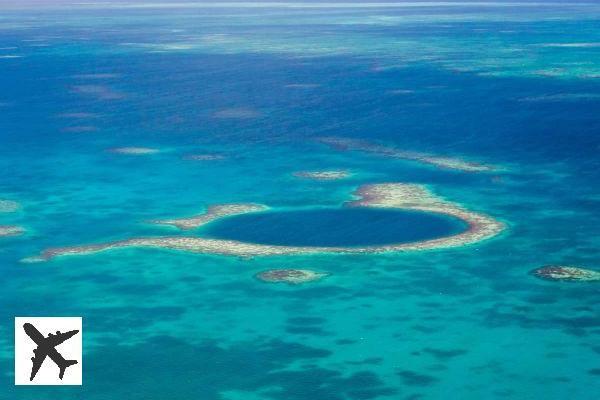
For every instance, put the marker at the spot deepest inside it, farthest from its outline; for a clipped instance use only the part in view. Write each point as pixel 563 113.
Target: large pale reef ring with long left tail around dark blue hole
pixel 399 196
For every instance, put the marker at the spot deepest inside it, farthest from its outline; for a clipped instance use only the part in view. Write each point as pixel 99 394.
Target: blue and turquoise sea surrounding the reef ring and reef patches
pixel 512 85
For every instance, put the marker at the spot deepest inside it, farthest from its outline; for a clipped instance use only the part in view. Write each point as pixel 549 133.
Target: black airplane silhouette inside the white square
pixel 46 347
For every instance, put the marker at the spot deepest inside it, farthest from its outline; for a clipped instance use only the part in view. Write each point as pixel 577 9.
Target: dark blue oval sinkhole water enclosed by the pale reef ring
pixel 334 227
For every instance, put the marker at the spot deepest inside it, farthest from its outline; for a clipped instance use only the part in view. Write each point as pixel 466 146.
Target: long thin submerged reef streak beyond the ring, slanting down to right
pixel 386 151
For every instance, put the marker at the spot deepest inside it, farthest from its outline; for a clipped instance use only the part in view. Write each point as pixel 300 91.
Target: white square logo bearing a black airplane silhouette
pixel 48 350
